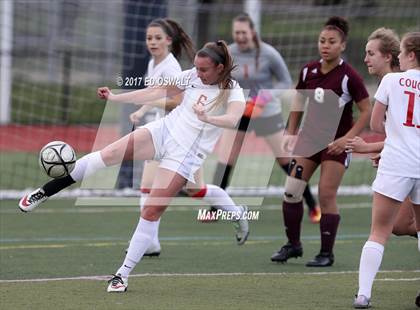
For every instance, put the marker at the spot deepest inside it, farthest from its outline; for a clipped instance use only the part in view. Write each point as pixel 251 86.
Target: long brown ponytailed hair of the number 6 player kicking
pixel 219 53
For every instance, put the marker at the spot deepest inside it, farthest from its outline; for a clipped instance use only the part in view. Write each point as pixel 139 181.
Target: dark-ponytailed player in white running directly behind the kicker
pixel 165 40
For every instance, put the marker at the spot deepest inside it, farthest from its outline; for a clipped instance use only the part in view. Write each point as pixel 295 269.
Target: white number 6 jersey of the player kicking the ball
pixel 182 122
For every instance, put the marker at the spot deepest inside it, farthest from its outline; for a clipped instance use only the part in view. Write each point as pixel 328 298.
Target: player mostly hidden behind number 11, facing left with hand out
pixel 381 58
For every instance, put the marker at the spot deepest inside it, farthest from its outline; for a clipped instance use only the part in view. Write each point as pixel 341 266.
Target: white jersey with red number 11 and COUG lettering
pixel 401 153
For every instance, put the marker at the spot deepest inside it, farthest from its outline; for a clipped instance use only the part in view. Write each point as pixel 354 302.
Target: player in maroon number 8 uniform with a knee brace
pixel 331 72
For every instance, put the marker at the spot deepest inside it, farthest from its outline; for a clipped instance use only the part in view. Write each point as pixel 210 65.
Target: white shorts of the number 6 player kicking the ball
pixel 170 154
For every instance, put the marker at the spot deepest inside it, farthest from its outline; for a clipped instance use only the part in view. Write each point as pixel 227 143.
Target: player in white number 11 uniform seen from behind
pixel 398 176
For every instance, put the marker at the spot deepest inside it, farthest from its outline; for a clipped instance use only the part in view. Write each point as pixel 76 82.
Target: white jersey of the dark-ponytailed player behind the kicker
pixel 167 68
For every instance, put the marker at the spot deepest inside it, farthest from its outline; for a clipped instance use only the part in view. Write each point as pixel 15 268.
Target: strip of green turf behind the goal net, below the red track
pixel 21 170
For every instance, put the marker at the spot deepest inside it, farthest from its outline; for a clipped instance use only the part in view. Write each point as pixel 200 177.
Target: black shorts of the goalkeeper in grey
pixel 263 126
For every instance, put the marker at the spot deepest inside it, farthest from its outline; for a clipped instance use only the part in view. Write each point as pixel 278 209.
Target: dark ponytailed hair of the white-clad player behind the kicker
pixel 180 39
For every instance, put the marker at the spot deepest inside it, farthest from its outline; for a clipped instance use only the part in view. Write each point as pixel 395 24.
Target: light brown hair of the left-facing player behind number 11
pixel 389 43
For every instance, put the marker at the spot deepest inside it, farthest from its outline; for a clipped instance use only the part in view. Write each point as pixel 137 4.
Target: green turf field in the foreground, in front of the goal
pixel 201 267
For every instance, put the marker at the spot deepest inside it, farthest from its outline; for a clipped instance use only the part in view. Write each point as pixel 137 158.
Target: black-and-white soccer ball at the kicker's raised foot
pixel 57 159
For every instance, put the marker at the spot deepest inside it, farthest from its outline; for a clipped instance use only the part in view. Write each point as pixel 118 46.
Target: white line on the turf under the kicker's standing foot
pixel 198 275
